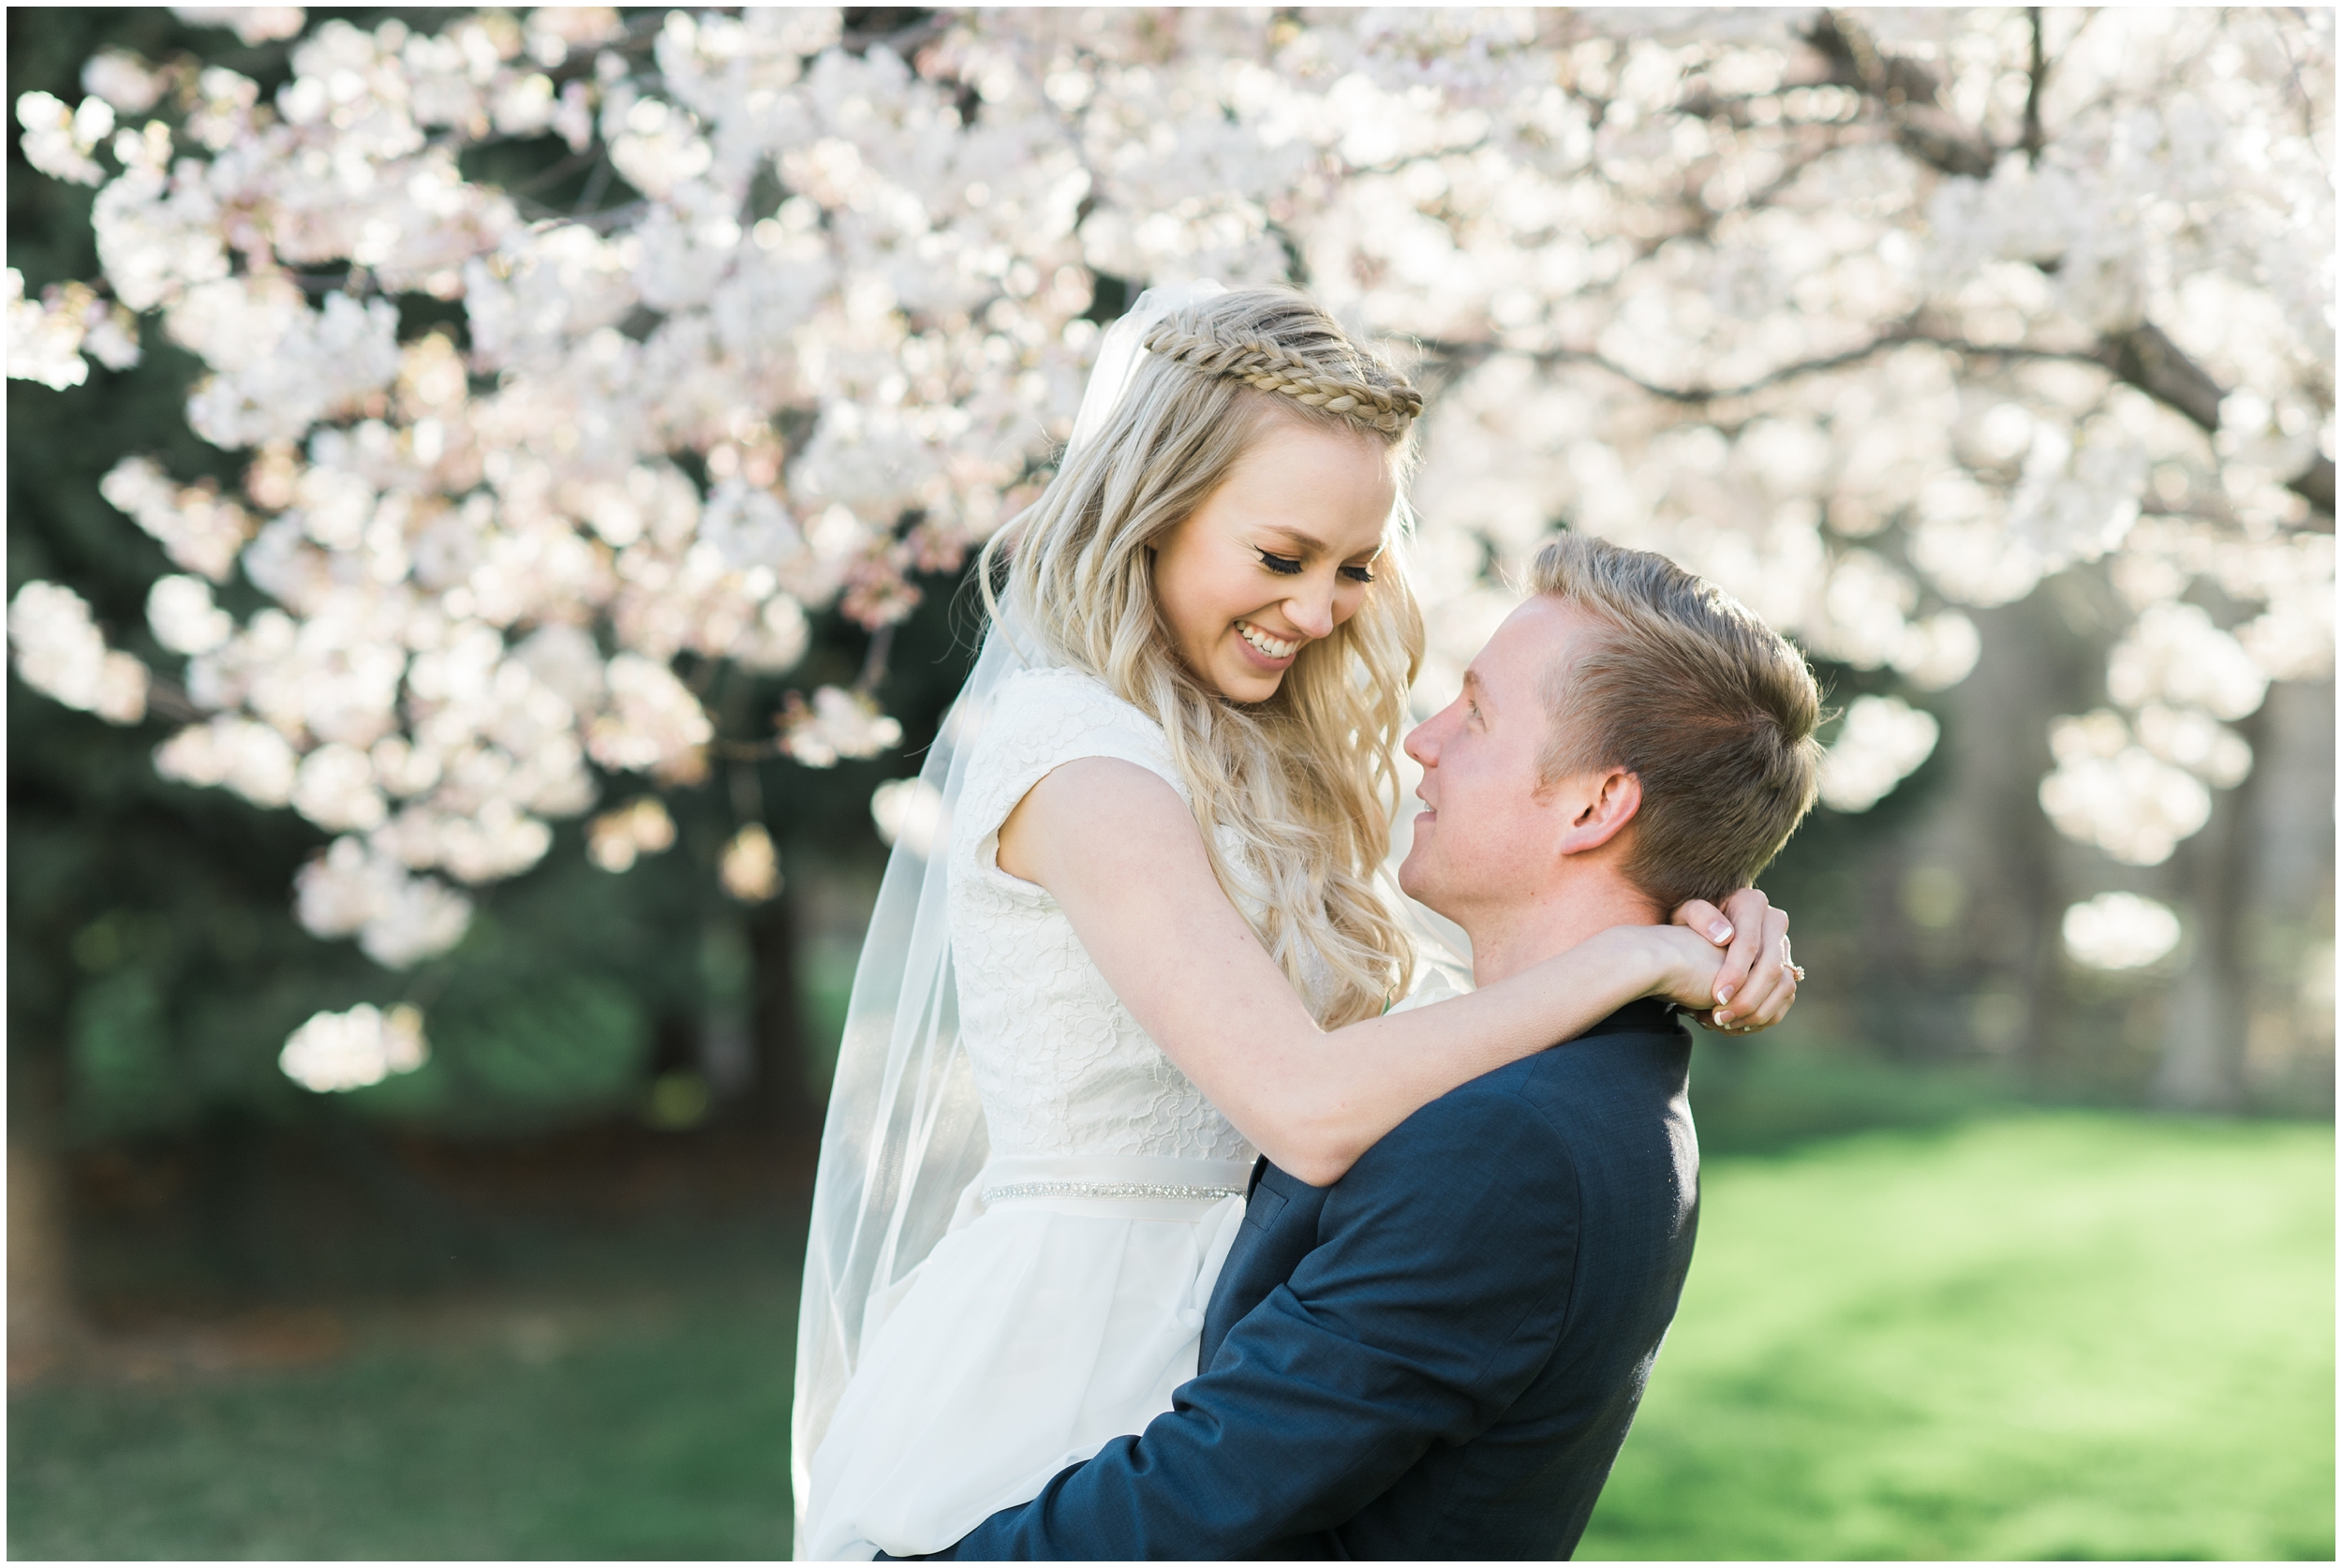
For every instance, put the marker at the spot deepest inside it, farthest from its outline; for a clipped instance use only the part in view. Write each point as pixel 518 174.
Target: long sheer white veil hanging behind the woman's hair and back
pixel 905 1132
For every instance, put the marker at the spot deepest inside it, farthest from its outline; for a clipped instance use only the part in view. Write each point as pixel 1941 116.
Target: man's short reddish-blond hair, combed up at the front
pixel 1694 696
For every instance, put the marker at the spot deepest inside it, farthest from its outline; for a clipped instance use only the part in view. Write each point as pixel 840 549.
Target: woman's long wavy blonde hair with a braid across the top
pixel 1306 780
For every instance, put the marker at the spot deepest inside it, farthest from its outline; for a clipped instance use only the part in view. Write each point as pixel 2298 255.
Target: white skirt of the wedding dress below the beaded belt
pixel 1060 1312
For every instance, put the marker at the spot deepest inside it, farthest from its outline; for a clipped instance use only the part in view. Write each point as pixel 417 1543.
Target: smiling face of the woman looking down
pixel 1278 556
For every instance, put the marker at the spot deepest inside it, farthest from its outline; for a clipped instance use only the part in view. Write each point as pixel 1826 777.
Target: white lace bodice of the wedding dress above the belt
pixel 1060 1061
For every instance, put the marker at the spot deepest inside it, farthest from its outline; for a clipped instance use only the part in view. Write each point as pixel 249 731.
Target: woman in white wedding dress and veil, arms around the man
pixel 1146 940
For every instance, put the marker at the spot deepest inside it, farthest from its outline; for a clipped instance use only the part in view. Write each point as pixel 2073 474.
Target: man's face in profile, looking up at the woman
pixel 1491 832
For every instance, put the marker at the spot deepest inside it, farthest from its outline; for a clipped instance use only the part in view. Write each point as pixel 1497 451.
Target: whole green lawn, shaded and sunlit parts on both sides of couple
pixel 2071 1335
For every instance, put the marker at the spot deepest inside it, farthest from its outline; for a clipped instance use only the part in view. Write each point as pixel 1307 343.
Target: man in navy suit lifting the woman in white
pixel 1439 1356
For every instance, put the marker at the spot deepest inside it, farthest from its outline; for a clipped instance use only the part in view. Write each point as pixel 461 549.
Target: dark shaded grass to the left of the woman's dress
pixel 634 1436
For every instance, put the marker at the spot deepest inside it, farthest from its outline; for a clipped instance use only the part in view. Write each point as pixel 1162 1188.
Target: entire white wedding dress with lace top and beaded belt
pixel 1067 1300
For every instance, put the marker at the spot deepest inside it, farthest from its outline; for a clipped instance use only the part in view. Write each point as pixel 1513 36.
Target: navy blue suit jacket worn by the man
pixel 1432 1359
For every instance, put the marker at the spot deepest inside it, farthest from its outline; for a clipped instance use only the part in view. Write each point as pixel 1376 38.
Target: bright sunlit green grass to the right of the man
pixel 2041 1337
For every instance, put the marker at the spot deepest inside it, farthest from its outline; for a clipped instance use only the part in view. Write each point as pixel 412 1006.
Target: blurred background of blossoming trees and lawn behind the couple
pixel 488 514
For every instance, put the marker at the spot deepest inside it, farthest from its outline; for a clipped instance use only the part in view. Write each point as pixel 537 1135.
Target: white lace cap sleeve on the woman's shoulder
pixel 1041 722
